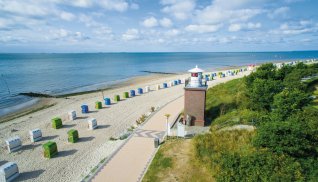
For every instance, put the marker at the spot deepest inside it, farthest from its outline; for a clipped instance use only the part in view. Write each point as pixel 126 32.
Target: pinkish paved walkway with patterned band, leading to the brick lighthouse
pixel 130 161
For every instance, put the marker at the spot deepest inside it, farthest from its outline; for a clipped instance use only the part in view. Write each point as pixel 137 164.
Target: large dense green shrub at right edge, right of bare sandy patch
pixel 297 136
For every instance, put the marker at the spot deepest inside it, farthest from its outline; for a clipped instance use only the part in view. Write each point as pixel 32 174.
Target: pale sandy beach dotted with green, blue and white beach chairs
pixel 75 161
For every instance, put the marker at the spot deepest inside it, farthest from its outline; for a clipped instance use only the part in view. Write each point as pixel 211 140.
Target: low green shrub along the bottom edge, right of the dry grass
pixel 258 166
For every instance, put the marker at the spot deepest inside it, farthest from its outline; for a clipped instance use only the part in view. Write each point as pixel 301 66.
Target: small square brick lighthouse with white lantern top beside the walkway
pixel 194 98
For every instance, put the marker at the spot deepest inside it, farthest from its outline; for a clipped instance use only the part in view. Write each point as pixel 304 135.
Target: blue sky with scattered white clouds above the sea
pixel 53 26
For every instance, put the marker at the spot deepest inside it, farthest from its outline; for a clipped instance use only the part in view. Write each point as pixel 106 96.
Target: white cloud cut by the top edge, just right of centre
pixel 180 9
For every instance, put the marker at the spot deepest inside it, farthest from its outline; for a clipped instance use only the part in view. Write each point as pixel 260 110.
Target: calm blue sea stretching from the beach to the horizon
pixel 66 73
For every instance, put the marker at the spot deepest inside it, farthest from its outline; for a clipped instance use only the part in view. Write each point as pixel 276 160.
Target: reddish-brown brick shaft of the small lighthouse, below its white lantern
pixel 194 105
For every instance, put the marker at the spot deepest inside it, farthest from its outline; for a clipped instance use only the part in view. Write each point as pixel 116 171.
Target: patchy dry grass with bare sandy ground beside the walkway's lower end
pixel 175 161
